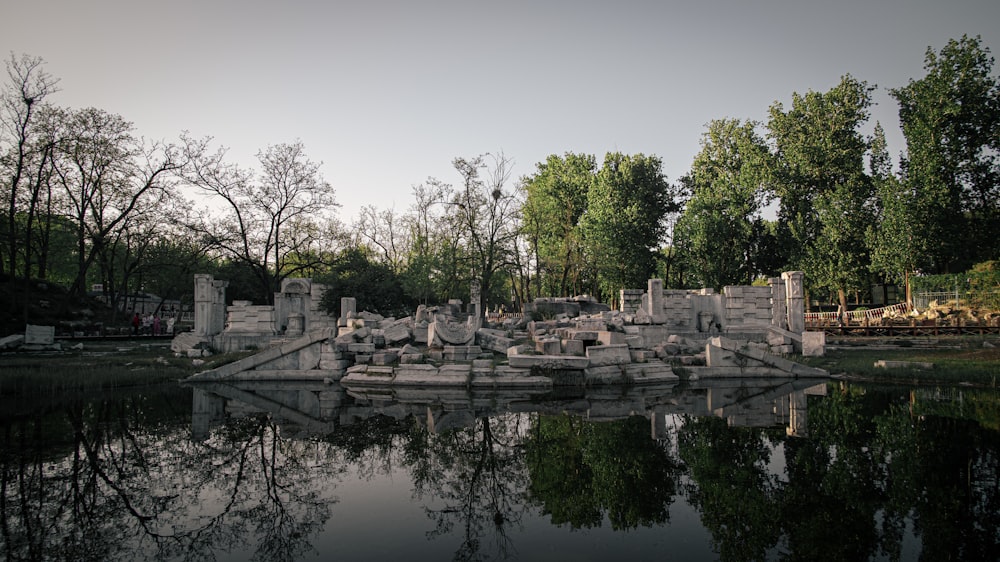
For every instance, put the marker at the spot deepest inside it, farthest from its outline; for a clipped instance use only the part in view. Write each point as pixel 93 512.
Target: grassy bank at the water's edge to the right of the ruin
pixel 959 360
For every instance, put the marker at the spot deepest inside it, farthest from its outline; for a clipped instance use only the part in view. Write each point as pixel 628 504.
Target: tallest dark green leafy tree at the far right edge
pixel 951 121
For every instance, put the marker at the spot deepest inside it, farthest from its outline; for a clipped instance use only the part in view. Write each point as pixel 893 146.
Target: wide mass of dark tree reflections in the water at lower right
pixel 872 462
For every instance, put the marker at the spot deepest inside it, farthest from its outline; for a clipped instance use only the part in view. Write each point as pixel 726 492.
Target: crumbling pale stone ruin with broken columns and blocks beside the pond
pixel 743 331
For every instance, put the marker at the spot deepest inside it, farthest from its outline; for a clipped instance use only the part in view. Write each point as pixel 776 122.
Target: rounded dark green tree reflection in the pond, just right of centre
pixel 582 470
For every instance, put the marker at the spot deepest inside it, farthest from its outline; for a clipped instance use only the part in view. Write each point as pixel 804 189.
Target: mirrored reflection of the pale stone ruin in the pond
pixel 315 408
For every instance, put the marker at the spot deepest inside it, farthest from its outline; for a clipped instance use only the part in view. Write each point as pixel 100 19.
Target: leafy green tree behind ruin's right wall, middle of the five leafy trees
pixel 721 228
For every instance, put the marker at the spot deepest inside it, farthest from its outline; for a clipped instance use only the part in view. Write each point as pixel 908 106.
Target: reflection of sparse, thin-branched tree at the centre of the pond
pixel 472 478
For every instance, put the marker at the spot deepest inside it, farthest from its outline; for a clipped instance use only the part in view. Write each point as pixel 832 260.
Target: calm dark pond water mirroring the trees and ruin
pixel 730 470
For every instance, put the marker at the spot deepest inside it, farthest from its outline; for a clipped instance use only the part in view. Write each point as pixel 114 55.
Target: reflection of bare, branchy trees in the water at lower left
pixel 129 488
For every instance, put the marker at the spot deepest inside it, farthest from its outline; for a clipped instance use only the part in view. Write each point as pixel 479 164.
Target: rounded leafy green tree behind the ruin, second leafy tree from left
pixel 625 222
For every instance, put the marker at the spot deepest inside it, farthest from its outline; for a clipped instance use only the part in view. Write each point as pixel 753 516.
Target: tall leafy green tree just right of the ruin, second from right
pixel 826 197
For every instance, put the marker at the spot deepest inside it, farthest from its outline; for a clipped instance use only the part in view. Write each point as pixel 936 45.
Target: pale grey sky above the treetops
pixel 387 92
